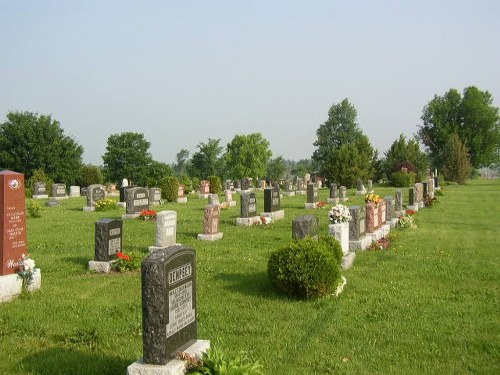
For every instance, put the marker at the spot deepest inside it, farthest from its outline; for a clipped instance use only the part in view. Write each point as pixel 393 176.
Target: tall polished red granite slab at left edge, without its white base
pixel 13 221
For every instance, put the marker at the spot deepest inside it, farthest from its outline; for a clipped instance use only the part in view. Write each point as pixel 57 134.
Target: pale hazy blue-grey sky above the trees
pixel 181 72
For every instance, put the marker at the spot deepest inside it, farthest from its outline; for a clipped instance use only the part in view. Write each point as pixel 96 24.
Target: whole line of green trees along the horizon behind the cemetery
pixel 459 133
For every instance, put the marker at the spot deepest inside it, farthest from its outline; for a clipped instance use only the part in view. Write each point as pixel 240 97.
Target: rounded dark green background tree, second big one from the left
pixel 127 156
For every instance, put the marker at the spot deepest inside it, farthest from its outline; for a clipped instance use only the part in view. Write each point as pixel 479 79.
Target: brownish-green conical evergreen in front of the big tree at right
pixel 457 166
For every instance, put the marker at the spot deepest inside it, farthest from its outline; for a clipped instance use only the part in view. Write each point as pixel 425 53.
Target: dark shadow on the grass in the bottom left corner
pixel 72 362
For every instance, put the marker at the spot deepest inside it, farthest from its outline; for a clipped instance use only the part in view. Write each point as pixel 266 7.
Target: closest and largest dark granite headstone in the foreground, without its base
pixel 168 303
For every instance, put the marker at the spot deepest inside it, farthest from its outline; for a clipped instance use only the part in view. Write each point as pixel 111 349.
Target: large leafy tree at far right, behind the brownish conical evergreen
pixel 472 117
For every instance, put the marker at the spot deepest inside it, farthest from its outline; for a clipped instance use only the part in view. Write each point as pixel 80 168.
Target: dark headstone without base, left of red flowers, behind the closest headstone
pixel 108 239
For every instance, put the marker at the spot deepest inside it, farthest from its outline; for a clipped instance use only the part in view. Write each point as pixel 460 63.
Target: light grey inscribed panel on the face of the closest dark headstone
pixel 181 312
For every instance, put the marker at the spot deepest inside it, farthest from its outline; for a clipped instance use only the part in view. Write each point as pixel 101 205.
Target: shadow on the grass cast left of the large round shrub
pixel 255 284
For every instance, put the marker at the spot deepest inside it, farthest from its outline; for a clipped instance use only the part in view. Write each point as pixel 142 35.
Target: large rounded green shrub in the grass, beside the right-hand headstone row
pixel 306 268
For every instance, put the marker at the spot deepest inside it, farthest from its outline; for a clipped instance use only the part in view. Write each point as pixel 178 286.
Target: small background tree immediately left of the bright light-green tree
pixel 207 161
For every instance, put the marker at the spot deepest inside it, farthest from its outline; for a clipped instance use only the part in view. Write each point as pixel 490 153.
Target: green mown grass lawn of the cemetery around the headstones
pixel 428 304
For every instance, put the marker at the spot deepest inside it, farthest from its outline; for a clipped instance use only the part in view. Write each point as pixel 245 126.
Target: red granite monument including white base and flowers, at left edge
pixel 13 241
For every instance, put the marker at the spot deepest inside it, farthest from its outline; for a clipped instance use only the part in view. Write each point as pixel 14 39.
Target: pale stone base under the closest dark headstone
pixel 174 367
